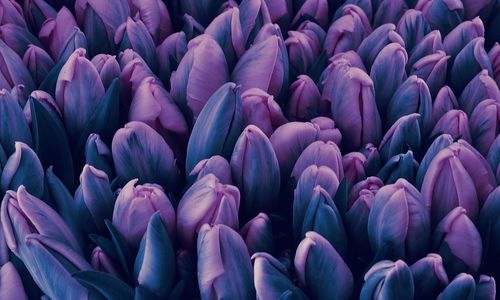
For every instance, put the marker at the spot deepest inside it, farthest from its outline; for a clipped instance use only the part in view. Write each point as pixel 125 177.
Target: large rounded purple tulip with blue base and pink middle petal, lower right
pixel 399 203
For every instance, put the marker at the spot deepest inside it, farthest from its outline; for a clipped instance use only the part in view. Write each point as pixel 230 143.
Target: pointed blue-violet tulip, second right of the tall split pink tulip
pixel 413 96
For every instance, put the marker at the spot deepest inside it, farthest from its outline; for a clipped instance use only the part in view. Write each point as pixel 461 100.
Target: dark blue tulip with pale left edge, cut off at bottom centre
pixel 272 280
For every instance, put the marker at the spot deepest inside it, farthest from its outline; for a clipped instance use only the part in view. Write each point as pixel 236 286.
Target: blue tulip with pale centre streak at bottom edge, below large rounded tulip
pixel 388 280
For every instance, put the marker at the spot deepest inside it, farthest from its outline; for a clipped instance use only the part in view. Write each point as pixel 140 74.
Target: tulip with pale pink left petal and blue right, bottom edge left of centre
pixel 224 266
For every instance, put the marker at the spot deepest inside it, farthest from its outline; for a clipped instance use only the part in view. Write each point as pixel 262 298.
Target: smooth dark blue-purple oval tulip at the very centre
pixel 255 171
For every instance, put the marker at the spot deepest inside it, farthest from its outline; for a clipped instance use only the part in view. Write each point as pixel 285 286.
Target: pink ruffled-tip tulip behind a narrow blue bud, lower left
pixel 134 207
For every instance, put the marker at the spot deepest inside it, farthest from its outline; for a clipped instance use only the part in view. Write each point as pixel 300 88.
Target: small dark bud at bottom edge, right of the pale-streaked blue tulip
pixel 429 276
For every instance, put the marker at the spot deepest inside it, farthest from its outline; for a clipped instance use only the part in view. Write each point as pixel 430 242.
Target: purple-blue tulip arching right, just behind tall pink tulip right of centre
pixel 376 41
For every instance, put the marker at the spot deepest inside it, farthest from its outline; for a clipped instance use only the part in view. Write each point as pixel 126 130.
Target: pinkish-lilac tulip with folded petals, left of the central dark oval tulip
pixel 207 201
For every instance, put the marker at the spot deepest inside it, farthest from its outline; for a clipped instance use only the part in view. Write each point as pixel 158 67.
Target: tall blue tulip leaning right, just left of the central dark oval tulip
pixel 217 127
